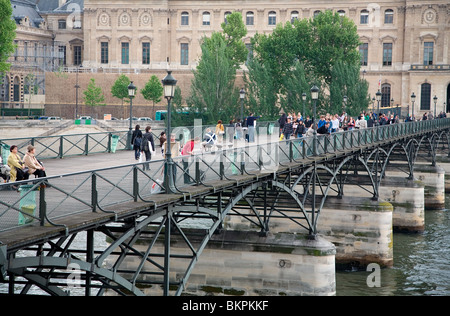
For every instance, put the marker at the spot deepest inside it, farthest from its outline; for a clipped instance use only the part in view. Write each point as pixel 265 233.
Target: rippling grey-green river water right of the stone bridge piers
pixel 421 264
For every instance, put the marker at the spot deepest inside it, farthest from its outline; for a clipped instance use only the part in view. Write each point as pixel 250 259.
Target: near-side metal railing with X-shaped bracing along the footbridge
pixel 46 200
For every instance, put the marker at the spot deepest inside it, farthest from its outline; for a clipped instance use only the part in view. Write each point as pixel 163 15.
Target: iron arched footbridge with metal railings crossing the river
pixel 263 184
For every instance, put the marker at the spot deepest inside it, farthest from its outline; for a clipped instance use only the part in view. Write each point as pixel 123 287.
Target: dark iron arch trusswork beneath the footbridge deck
pixel 177 230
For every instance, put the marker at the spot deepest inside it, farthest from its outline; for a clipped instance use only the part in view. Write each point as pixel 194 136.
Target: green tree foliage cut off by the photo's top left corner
pixel 7 34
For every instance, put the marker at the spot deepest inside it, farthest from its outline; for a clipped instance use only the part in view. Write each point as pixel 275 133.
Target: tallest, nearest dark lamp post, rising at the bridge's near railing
pixel 169 83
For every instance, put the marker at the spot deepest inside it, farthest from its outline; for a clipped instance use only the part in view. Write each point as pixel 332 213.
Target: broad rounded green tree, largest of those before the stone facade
pixel 317 44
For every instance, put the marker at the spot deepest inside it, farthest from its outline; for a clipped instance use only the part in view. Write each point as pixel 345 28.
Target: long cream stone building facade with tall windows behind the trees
pixel 404 43
